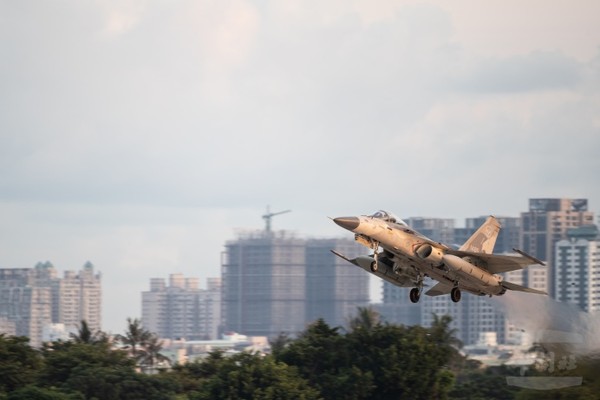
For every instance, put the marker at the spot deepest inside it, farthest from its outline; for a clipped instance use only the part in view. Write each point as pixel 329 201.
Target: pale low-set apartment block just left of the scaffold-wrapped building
pixel 182 310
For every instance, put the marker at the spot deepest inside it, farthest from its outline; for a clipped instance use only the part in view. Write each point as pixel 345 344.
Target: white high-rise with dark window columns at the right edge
pixel 577 268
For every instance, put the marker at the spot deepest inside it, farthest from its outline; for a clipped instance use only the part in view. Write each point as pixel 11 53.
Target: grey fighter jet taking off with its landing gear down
pixel 407 257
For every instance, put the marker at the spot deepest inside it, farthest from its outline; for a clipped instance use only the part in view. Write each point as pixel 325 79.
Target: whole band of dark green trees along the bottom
pixel 370 361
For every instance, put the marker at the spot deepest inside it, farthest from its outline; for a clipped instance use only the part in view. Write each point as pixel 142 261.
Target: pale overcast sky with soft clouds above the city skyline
pixel 140 135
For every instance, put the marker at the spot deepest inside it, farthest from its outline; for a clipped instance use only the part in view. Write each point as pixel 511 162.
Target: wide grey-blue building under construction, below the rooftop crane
pixel 276 283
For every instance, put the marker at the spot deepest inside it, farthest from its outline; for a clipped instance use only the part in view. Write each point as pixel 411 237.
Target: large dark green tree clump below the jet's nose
pixel 374 361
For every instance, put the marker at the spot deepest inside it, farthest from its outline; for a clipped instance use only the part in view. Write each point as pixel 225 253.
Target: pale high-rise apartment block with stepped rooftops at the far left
pixel 32 298
